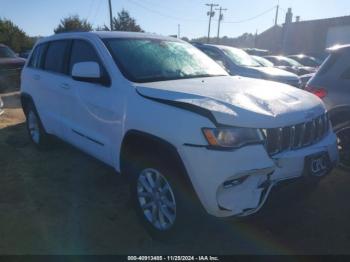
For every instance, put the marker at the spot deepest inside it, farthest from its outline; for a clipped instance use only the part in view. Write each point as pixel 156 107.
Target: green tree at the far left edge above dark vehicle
pixel 14 37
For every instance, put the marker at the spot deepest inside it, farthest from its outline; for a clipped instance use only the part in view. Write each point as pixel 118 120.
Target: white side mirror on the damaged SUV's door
pixel 87 72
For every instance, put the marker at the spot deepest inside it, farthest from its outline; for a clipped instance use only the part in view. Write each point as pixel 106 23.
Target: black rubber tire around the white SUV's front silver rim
pixel 186 211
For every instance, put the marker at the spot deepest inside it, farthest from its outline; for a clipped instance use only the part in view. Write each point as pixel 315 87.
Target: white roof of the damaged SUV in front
pixel 107 34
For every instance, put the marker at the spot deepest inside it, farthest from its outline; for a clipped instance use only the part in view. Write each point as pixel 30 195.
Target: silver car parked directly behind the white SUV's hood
pixel 238 62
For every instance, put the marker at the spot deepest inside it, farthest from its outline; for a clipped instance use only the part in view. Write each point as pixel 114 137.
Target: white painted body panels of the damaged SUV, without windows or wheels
pixel 95 119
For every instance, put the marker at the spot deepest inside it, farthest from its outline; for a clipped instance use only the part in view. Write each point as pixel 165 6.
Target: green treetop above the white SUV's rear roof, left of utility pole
pixel 73 23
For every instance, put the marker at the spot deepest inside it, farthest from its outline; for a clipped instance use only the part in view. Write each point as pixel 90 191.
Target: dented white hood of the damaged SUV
pixel 238 101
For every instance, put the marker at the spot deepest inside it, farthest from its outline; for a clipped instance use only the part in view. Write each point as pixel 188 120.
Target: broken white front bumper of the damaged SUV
pixel 237 183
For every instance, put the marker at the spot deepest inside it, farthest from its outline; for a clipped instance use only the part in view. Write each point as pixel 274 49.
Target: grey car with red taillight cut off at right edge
pixel 331 83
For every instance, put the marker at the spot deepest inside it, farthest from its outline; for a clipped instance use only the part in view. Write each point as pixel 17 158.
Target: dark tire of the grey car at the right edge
pixel 342 131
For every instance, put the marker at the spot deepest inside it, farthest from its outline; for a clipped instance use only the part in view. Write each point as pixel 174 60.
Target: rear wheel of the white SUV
pixel 40 139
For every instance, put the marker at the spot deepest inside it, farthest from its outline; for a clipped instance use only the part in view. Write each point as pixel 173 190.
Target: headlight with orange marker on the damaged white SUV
pixel 232 137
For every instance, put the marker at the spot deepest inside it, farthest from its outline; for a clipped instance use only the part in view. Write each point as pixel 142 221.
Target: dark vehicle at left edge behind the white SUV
pixel 10 68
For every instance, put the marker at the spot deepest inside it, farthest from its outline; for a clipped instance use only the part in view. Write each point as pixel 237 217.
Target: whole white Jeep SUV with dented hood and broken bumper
pixel 168 117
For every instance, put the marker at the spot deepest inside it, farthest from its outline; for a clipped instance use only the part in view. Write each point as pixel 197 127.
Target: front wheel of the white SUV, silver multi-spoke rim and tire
pixel 161 204
